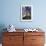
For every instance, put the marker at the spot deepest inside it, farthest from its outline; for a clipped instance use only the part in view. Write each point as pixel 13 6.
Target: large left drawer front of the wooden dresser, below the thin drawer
pixel 13 40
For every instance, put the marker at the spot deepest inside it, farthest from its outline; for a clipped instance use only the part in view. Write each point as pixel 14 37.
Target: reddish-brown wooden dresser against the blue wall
pixel 23 39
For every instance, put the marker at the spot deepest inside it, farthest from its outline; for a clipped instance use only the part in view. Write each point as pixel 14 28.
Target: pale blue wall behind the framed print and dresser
pixel 10 13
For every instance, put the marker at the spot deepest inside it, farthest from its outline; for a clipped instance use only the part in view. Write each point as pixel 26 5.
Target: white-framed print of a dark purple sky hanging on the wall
pixel 26 12
